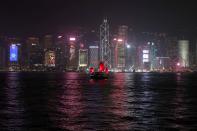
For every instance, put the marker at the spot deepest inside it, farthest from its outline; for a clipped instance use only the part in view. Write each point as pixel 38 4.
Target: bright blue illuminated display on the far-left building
pixel 13 53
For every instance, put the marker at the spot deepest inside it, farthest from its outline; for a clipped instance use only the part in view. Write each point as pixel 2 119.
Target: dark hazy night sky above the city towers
pixel 49 16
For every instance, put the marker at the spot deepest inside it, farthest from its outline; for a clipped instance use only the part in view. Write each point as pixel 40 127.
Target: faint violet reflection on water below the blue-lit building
pixel 12 109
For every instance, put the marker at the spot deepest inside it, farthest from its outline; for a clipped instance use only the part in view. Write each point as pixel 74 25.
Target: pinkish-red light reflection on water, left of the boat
pixel 69 105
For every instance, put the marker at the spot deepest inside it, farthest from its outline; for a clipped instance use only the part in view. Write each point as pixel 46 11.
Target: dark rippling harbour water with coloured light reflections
pixel 70 101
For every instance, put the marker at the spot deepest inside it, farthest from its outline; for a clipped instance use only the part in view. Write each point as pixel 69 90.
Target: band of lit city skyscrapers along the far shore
pixel 156 52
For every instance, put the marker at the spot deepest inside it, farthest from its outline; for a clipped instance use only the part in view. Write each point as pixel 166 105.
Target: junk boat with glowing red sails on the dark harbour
pixel 101 73
